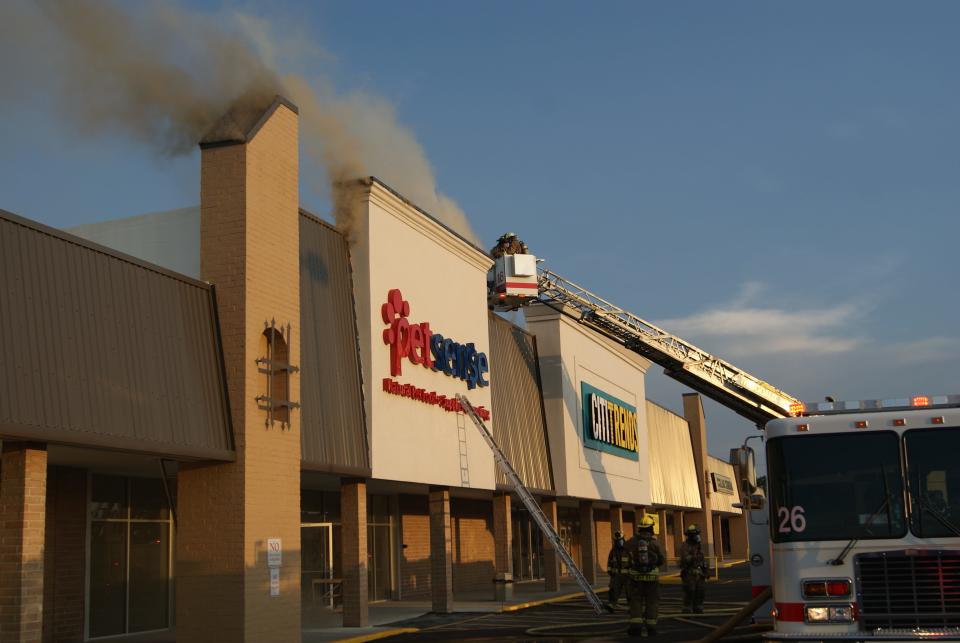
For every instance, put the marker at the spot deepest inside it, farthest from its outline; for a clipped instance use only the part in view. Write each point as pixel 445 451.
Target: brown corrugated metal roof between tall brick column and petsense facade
pixel 333 430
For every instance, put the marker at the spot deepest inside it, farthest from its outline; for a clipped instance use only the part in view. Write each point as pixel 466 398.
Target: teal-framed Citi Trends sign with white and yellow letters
pixel 609 424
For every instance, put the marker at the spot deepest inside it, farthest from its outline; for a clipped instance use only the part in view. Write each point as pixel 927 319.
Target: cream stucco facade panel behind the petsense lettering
pixel 443 279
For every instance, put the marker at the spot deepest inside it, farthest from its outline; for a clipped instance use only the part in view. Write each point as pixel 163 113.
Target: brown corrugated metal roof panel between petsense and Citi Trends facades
pixel 519 424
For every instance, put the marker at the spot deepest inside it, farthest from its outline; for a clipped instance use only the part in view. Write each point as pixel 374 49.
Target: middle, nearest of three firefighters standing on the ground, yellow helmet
pixel 646 559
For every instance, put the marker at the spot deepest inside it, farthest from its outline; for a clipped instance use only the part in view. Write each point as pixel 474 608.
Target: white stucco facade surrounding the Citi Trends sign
pixel 572 356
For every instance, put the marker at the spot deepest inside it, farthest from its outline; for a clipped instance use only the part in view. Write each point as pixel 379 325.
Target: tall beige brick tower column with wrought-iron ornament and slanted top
pixel 228 513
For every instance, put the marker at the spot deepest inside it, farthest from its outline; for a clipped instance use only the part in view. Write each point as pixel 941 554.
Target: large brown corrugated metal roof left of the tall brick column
pixel 100 349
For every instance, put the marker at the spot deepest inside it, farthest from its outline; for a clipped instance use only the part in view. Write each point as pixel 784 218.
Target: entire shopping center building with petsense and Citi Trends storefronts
pixel 220 420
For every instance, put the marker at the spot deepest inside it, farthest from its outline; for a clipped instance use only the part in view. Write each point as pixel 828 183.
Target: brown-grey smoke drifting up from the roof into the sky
pixel 163 75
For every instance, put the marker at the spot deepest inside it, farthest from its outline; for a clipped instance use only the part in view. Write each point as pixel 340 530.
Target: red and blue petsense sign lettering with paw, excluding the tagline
pixel 417 343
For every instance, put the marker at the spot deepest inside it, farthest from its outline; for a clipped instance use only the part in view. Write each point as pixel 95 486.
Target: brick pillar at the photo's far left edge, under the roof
pixel 23 496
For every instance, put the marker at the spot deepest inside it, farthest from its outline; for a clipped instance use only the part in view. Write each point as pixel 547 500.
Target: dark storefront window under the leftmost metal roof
pixel 130 539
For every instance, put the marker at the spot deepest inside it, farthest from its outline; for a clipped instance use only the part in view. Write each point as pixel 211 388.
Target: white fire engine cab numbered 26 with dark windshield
pixel 864 520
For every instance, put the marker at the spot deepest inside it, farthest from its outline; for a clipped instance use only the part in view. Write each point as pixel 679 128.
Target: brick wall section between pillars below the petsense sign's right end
pixel 473 549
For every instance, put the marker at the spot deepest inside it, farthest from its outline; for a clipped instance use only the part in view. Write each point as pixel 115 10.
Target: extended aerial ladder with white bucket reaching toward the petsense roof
pixel 517 280
